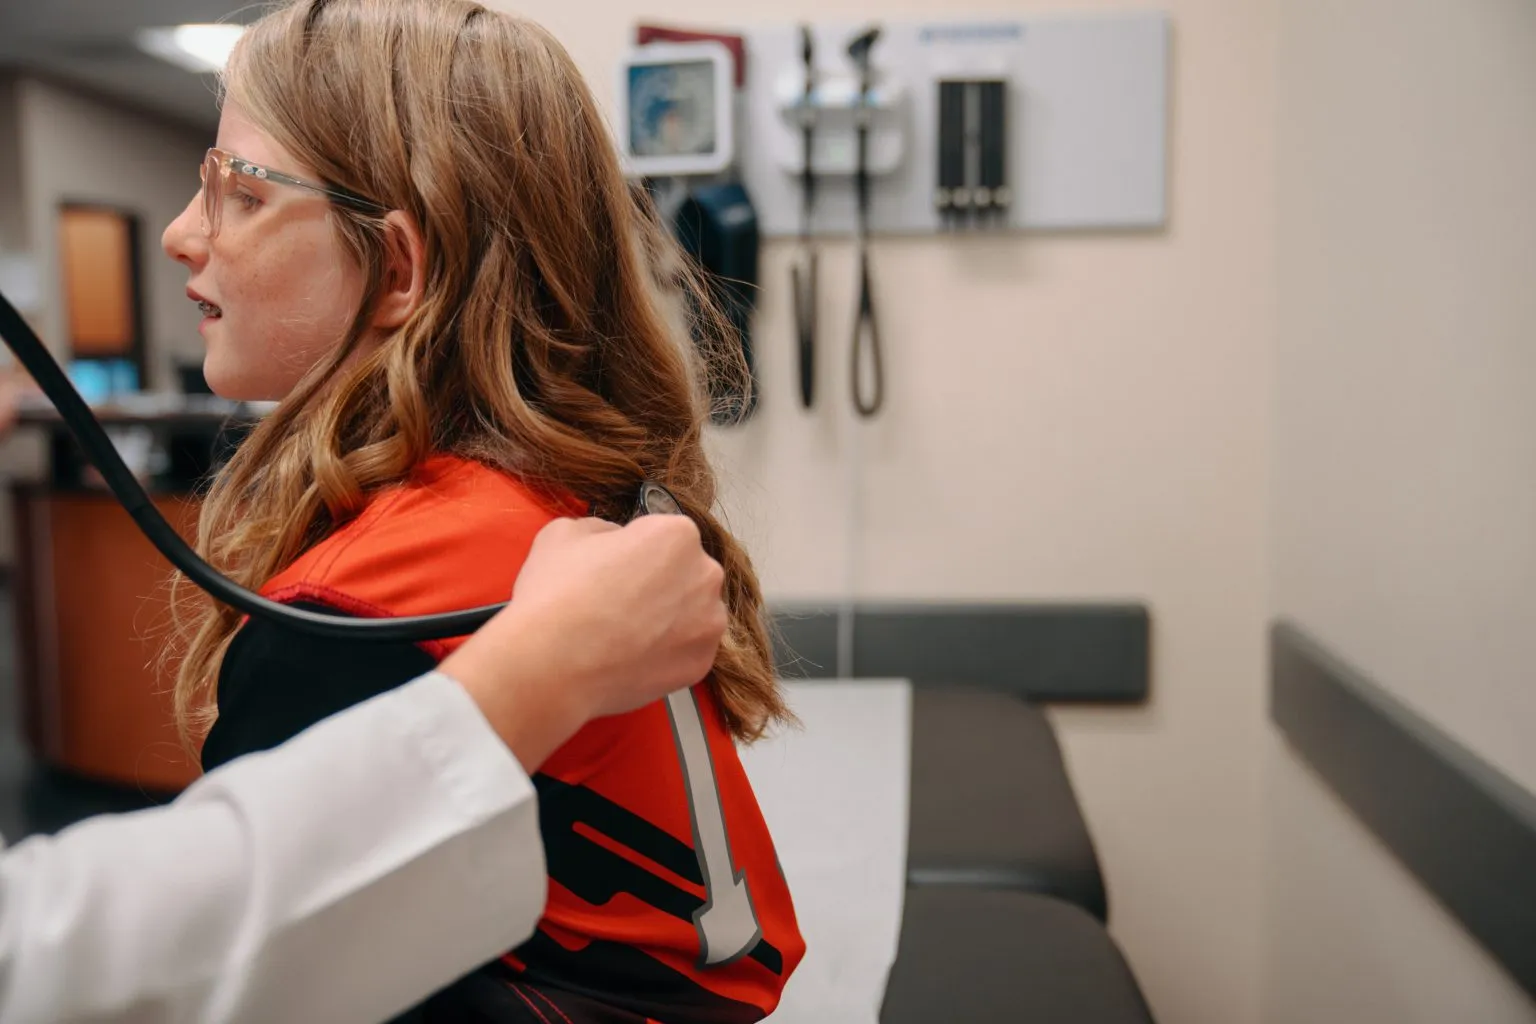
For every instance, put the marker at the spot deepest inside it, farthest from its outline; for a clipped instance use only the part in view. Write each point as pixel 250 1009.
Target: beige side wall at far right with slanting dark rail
pixel 1405 460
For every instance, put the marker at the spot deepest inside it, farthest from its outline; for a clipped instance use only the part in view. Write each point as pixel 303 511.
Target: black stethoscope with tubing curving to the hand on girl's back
pixel 88 432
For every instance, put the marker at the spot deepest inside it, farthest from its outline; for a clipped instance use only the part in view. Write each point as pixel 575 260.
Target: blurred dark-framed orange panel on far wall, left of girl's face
pixel 104 294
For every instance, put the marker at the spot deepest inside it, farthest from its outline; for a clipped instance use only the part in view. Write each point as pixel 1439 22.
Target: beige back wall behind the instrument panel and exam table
pixel 1070 417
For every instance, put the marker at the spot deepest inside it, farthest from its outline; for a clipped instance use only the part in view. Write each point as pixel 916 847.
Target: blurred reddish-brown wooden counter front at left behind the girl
pixel 93 606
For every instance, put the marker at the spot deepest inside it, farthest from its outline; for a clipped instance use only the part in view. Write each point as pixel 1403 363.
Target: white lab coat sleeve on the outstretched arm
pixel 342 877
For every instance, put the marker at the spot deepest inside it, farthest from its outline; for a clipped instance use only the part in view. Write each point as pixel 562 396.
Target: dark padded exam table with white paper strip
pixel 941 865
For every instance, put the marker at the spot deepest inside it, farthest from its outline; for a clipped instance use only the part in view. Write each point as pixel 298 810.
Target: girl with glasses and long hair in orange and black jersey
pixel 414 231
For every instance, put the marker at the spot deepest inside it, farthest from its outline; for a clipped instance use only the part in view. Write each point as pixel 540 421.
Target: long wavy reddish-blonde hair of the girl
pixel 548 343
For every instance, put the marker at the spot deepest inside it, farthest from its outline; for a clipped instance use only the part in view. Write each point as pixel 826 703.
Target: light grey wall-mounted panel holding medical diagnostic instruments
pixel 1019 124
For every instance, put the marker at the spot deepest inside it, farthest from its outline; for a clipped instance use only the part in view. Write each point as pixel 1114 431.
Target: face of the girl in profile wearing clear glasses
pixel 279 289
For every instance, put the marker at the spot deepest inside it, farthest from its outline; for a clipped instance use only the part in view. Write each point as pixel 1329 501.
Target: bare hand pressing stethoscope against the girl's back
pixel 603 619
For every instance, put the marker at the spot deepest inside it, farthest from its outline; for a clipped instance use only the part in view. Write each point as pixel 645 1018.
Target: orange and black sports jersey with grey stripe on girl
pixel 666 899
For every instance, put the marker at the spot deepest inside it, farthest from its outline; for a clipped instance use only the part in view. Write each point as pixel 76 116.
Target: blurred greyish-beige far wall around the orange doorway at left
pixel 74 148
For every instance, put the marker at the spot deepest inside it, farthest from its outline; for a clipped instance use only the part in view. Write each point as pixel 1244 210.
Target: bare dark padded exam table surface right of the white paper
pixel 1005 903
